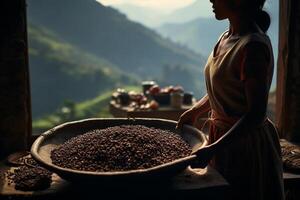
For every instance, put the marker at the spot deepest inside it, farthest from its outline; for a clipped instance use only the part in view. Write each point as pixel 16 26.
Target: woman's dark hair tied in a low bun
pixel 253 9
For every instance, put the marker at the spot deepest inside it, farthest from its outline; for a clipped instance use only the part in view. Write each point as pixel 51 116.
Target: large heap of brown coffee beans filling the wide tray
pixel 120 148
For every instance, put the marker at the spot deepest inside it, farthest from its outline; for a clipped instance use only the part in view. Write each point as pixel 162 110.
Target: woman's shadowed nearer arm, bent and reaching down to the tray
pixel 255 76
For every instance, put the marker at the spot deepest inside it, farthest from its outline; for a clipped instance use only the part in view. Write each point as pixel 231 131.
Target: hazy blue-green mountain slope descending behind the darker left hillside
pixel 105 32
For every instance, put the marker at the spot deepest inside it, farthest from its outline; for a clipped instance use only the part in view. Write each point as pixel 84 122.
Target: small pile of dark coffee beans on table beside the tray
pixel 30 177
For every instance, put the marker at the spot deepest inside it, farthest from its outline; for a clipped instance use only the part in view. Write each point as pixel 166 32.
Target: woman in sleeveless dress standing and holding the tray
pixel 243 143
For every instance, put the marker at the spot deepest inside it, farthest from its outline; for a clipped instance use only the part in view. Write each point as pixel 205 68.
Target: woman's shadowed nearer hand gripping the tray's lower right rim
pixel 204 155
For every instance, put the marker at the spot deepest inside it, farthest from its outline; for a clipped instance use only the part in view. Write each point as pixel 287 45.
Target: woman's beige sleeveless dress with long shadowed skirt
pixel 252 163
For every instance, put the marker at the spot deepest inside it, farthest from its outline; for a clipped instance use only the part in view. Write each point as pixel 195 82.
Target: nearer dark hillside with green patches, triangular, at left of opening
pixel 60 71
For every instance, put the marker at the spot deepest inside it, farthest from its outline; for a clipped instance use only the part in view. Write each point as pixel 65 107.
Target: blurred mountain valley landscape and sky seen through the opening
pixel 81 51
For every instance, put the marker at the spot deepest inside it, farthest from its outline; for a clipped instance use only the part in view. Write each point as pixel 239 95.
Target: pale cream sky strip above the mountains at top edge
pixel 163 5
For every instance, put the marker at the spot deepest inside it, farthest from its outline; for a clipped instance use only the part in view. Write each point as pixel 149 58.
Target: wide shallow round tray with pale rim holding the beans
pixel 46 142
